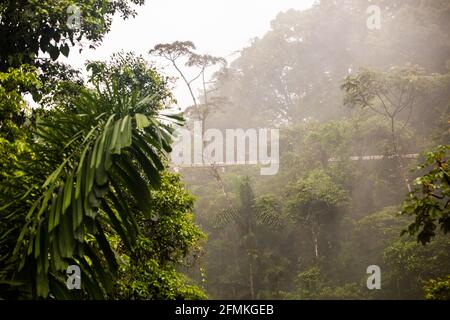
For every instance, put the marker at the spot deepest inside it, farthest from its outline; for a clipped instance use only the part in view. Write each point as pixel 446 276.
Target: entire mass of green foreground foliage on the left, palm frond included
pixel 84 177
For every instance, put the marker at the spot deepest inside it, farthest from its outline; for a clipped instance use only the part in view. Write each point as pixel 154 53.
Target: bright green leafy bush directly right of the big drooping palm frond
pixel 168 238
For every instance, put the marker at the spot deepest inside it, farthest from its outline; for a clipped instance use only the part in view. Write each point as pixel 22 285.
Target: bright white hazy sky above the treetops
pixel 217 27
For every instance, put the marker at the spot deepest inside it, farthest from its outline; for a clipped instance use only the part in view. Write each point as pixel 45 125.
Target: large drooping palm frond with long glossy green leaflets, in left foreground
pixel 103 156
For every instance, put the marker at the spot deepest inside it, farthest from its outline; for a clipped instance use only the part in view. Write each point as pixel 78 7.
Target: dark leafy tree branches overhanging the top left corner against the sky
pixel 28 26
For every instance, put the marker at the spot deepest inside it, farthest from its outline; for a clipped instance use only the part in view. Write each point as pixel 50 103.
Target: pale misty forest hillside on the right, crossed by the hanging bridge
pixel 339 93
